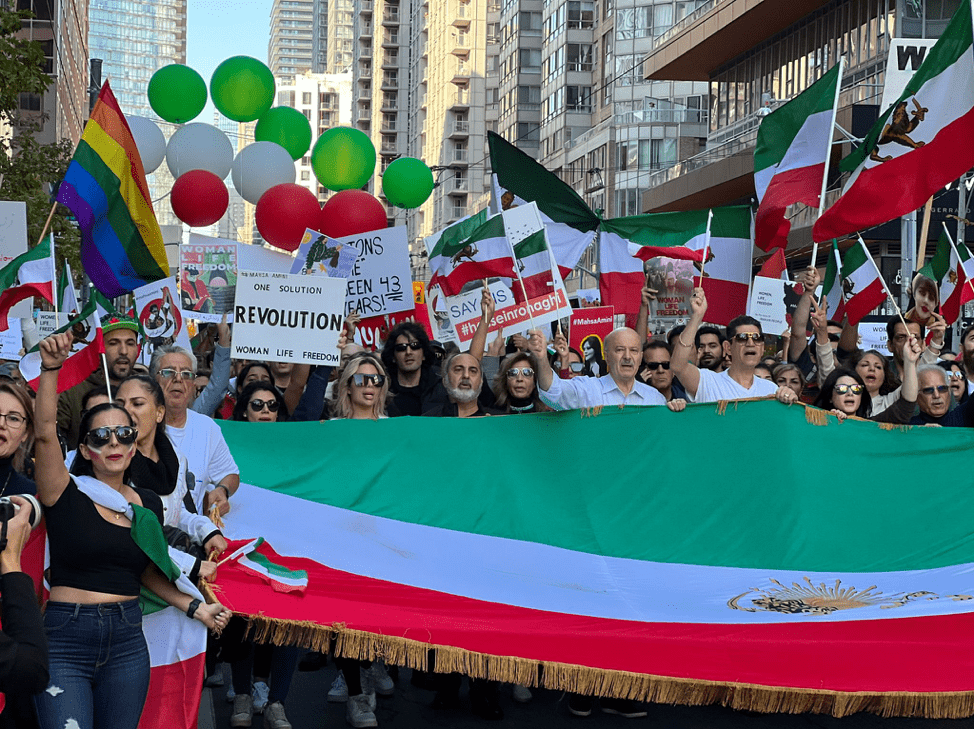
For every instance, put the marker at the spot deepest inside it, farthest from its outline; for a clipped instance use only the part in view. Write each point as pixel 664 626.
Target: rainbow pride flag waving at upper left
pixel 105 189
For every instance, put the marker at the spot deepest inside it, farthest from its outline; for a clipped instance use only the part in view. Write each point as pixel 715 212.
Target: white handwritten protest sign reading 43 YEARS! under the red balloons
pixel 379 281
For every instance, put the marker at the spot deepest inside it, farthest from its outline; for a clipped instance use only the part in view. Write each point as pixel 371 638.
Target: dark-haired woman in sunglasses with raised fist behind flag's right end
pixel 844 392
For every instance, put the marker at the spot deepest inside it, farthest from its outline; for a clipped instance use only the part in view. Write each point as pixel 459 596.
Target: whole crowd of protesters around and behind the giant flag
pixel 134 444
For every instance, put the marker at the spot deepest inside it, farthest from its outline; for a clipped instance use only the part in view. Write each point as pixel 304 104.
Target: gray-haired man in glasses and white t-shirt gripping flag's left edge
pixel 196 436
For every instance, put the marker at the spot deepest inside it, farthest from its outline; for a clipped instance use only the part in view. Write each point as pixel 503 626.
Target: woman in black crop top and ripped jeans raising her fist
pixel 99 662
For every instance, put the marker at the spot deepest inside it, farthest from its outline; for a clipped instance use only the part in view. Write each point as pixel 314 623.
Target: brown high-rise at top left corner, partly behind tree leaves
pixel 61 27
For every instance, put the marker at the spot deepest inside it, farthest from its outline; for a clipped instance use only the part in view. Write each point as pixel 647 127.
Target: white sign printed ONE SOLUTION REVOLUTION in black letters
pixel 283 317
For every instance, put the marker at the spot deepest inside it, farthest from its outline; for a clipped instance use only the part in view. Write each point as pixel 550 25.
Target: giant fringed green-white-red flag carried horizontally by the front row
pixel 757 597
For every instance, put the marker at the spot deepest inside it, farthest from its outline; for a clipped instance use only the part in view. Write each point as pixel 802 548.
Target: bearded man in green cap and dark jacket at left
pixel 121 336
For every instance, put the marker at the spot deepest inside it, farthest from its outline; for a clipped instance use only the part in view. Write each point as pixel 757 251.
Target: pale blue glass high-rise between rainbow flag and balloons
pixel 134 40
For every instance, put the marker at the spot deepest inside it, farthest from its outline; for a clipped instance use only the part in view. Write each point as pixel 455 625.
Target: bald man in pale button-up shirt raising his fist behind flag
pixel 623 353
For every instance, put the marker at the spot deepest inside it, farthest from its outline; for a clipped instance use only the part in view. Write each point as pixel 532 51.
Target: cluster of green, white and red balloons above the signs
pixel 200 157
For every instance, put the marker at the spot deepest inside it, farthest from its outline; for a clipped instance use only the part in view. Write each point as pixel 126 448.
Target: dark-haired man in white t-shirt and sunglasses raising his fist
pixel 744 345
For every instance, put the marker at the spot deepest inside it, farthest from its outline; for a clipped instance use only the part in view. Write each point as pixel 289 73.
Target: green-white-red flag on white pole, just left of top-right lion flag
pixel 791 157
